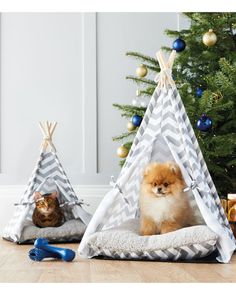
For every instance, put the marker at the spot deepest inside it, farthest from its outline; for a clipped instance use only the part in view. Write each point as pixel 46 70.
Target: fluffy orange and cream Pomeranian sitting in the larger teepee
pixel 164 207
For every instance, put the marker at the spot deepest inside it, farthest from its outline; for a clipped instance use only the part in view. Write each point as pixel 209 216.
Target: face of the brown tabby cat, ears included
pixel 46 204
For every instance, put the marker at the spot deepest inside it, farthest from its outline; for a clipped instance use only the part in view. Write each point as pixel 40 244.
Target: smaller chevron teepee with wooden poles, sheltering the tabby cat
pixel 48 176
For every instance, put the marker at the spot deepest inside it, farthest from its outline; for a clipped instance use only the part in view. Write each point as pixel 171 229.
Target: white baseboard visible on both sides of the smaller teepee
pixel 10 194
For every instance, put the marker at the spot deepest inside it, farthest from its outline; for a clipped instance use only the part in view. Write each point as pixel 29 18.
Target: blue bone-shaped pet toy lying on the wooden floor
pixel 44 250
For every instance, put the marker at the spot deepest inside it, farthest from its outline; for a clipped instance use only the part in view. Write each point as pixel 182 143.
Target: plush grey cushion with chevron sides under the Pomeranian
pixel 124 242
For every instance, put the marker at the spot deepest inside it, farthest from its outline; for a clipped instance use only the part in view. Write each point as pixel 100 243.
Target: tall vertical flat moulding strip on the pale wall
pixel 89 97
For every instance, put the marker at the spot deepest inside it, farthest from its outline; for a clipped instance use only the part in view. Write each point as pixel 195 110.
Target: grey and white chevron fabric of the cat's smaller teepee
pixel 47 176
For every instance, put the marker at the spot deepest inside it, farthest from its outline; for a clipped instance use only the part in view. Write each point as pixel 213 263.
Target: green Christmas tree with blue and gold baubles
pixel 205 75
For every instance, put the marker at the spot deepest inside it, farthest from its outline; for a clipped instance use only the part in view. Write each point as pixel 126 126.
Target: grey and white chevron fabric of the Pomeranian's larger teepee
pixel 165 134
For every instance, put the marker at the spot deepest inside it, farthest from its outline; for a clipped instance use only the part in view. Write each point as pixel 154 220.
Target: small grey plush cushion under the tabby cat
pixel 71 230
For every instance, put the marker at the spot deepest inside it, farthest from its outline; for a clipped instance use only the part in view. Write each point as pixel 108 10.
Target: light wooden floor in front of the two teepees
pixel 15 266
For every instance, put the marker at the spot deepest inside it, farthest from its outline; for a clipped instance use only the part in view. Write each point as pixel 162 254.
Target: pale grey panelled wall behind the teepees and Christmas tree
pixel 69 67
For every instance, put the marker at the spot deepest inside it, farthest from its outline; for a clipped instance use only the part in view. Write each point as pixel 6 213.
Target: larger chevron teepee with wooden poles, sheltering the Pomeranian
pixel 165 134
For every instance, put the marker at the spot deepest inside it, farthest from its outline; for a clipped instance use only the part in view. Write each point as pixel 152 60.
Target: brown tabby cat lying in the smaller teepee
pixel 47 210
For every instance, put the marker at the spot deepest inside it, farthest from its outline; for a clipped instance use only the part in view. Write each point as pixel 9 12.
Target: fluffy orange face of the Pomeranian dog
pixel 162 179
